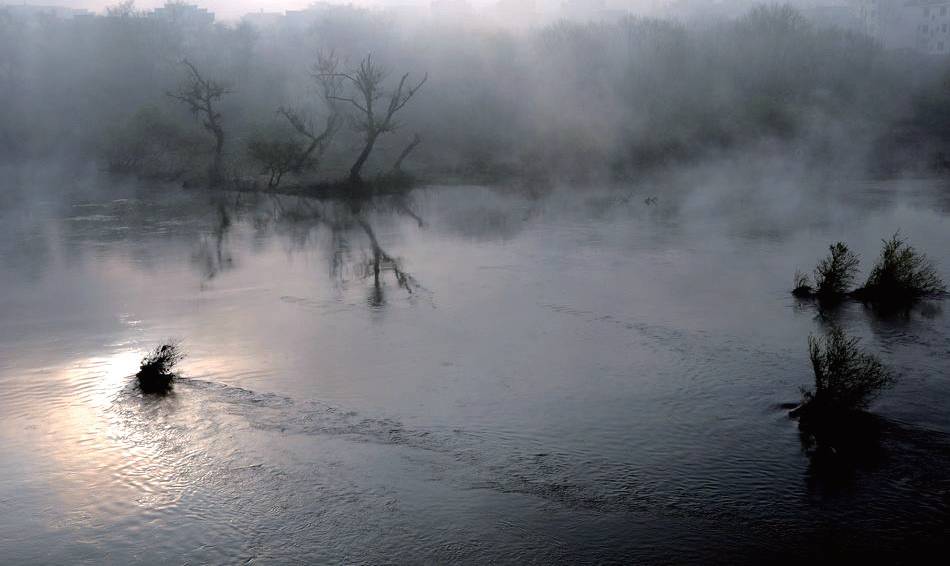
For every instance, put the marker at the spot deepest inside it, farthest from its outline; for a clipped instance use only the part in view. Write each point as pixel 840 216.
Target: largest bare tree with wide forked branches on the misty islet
pixel 366 91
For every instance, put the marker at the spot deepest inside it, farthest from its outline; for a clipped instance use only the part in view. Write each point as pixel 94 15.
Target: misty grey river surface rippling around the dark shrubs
pixel 578 377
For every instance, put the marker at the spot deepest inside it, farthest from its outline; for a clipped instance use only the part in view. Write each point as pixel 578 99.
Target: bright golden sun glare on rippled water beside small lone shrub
pixel 83 437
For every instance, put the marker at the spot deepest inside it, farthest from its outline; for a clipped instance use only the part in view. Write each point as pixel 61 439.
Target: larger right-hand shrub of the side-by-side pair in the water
pixel 901 275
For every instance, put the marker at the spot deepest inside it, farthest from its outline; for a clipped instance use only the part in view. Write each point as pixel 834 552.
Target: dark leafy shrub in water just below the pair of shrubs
pixel 846 378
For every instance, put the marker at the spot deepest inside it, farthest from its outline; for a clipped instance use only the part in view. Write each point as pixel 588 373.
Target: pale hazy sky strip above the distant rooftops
pixel 233 8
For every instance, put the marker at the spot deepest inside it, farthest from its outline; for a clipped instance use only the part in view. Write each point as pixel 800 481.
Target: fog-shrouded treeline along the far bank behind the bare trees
pixel 604 99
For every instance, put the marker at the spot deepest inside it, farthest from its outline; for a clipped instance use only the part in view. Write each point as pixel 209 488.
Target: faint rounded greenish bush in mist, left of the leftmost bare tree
pixel 152 144
